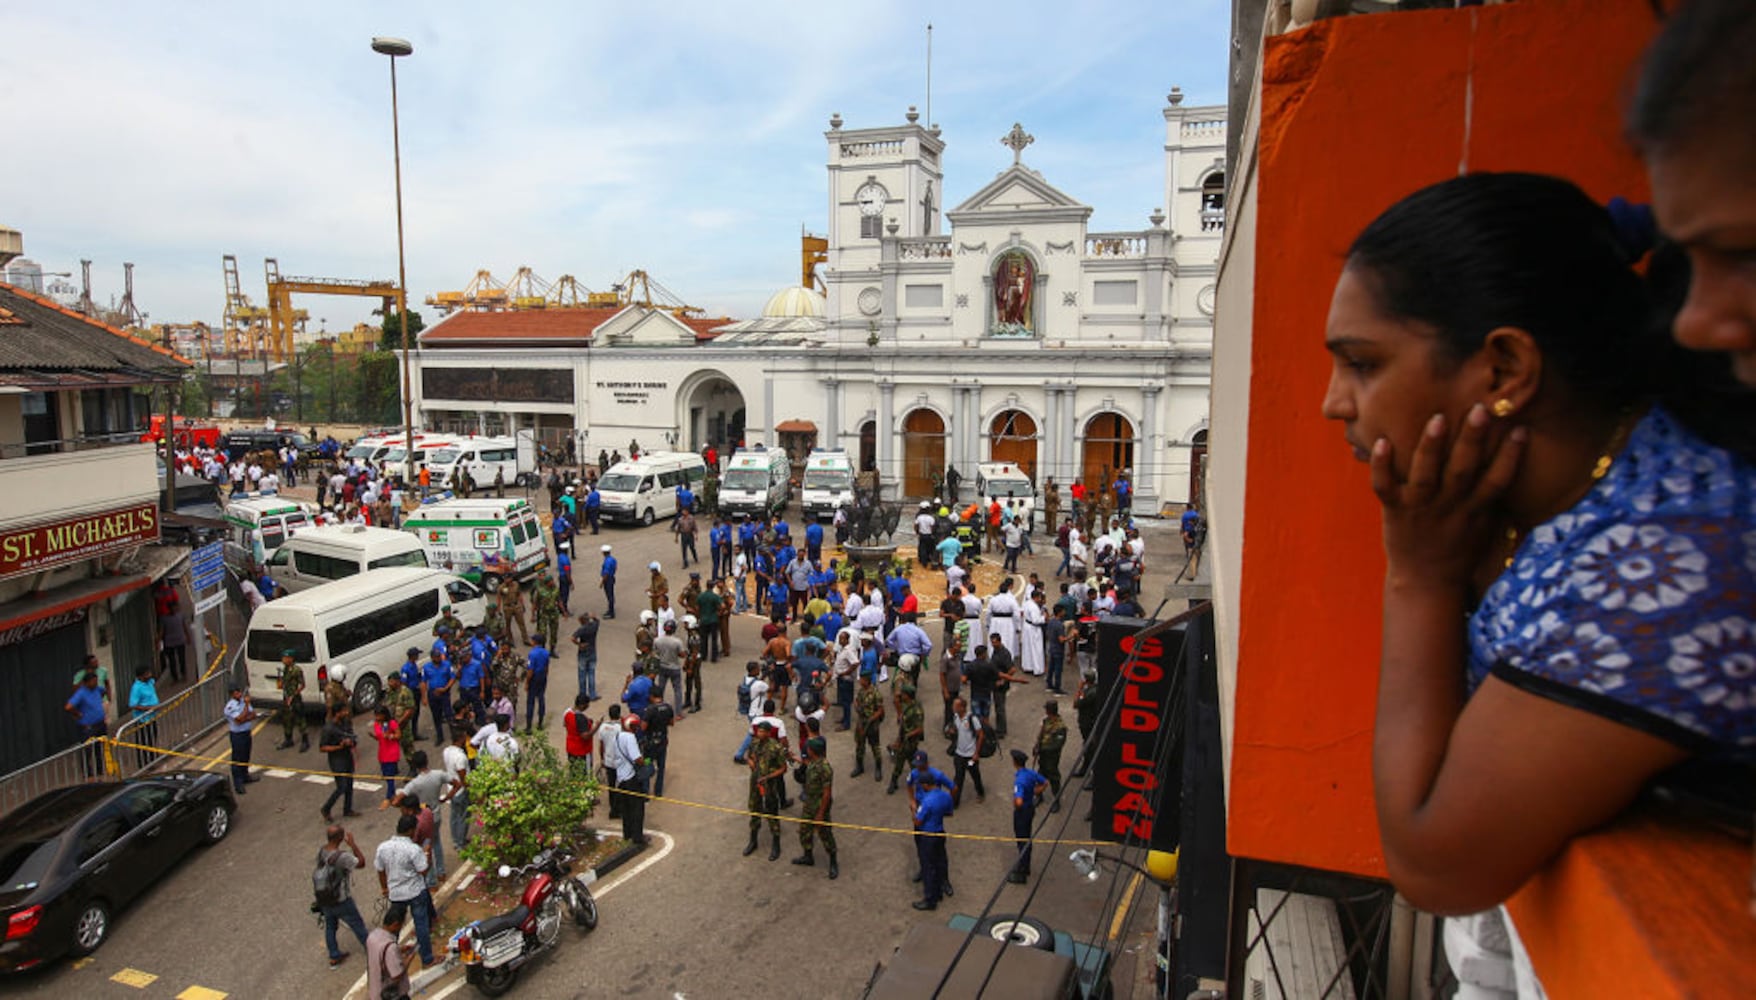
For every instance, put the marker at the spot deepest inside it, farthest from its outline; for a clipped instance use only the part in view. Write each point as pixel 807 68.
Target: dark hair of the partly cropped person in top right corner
pixel 1699 78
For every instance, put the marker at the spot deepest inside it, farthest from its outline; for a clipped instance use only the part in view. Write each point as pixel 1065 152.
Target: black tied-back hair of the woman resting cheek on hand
pixel 1534 252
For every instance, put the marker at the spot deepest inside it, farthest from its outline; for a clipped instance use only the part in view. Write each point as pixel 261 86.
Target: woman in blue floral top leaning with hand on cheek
pixel 1571 544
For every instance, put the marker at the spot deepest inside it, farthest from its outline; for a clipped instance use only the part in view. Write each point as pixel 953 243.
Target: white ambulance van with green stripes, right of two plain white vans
pixel 466 537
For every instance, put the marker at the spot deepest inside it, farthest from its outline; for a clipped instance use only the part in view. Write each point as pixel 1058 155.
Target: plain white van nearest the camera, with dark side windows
pixel 368 623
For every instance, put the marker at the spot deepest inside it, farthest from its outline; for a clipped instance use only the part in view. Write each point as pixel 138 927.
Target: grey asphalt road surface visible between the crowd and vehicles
pixel 705 922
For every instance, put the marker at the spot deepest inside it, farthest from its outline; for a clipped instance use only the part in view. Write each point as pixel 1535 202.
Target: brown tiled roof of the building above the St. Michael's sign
pixel 40 335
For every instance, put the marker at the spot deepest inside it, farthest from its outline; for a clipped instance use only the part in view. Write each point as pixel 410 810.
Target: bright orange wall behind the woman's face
pixel 1357 113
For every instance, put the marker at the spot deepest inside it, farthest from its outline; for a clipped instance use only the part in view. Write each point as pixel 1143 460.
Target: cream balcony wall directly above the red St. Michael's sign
pixel 94 475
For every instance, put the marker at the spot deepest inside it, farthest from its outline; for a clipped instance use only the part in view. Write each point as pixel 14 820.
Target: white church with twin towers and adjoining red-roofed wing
pixel 1000 330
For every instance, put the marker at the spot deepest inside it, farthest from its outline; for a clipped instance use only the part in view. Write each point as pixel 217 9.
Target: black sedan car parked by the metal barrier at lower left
pixel 73 859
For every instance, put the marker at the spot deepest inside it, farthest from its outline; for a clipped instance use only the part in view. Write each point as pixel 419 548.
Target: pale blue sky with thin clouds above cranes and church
pixel 589 140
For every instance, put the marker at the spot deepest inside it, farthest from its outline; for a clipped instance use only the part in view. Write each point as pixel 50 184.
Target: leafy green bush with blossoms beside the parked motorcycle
pixel 528 806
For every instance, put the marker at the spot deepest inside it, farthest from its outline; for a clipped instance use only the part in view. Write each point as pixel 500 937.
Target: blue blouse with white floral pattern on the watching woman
pixel 1639 604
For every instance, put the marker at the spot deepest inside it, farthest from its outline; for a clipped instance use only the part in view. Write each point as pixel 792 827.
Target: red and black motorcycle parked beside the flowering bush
pixel 494 950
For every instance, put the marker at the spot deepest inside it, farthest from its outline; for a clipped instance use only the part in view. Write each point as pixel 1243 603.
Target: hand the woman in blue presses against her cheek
pixel 1439 521
